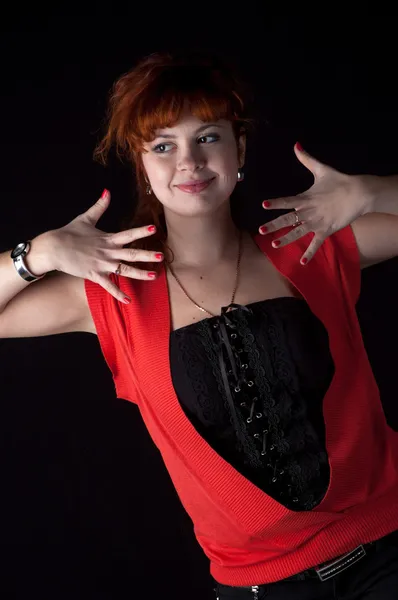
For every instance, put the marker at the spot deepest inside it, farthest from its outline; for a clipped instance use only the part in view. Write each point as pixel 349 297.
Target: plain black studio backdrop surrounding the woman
pixel 87 507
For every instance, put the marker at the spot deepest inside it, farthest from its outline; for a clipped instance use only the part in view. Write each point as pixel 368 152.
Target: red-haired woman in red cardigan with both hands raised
pixel 243 353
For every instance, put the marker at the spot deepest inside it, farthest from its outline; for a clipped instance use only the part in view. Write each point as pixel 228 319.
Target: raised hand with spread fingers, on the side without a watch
pixel 334 201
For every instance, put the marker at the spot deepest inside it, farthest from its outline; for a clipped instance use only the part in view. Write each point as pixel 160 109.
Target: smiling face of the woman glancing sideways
pixel 192 167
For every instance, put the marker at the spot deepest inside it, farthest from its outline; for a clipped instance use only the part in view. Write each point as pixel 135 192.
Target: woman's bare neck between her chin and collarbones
pixel 201 242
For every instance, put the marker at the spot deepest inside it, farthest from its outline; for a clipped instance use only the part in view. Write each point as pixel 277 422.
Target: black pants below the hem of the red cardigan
pixel 374 577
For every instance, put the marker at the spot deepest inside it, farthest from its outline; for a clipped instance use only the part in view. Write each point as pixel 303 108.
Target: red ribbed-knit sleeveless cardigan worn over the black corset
pixel 248 536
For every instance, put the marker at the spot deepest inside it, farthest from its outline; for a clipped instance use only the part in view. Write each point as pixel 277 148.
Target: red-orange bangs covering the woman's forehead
pixel 204 93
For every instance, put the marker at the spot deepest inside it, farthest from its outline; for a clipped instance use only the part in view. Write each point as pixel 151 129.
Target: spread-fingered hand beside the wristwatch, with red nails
pixel 82 250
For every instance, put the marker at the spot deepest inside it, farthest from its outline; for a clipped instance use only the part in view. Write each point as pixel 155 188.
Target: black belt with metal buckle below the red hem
pixel 330 569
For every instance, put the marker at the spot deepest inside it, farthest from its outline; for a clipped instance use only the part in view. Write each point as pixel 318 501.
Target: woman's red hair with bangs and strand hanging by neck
pixel 152 96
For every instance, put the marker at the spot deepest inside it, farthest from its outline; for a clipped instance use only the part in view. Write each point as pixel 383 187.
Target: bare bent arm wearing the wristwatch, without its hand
pixel 55 304
